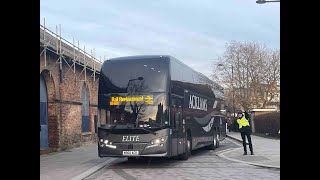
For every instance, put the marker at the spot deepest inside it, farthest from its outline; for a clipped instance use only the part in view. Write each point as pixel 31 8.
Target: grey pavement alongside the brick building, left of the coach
pixel 76 163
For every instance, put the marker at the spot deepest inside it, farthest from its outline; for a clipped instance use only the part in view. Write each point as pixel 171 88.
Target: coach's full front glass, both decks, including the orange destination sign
pixel 133 92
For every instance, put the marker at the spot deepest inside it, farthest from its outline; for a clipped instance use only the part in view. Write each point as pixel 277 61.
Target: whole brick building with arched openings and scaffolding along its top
pixel 68 93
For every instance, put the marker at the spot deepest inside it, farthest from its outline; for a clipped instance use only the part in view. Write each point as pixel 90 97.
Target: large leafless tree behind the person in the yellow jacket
pixel 251 72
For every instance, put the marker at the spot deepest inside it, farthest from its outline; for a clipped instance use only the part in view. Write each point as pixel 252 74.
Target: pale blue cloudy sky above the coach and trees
pixel 193 31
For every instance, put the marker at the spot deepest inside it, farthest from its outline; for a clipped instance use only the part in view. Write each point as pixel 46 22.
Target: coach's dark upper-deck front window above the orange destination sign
pixel 140 75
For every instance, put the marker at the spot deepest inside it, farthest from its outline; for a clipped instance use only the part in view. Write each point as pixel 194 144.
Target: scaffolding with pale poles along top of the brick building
pixel 69 53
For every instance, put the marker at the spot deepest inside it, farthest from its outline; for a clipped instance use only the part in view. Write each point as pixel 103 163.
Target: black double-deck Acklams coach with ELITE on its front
pixel 156 106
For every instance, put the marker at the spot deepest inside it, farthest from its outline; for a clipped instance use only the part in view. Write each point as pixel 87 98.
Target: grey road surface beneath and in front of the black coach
pixel 203 164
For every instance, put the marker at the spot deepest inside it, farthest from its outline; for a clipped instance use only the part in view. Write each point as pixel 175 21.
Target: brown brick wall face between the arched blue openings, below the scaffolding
pixel 65 103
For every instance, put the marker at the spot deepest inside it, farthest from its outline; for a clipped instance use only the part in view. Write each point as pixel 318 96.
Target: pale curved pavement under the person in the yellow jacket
pixel 266 151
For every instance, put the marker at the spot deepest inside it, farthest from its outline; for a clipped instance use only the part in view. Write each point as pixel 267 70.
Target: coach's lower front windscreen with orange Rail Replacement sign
pixel 144 110
